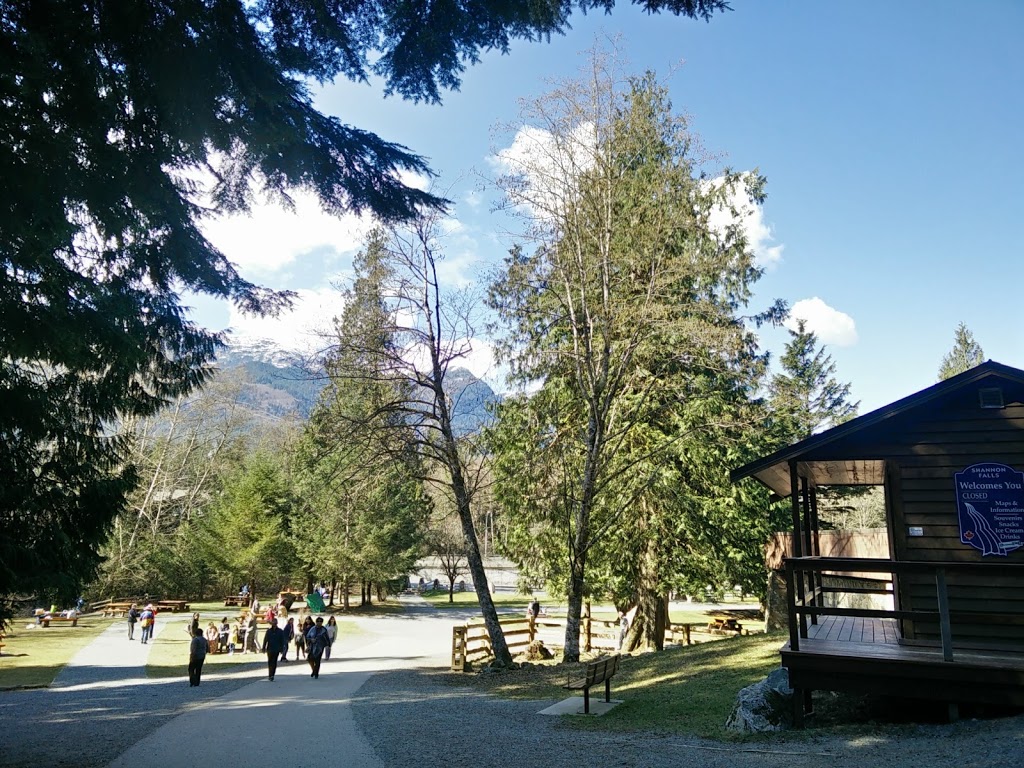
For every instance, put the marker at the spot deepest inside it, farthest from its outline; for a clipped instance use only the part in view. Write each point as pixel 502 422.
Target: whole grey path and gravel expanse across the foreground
pixel 377 706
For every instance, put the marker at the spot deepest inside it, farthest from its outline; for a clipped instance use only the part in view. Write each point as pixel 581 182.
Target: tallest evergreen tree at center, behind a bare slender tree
pixel 628 303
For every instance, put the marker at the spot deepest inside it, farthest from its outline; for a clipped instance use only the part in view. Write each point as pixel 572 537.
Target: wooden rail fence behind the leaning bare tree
pixel 472 643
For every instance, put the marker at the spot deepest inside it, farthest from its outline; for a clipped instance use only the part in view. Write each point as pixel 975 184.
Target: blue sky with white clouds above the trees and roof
pixel 890 135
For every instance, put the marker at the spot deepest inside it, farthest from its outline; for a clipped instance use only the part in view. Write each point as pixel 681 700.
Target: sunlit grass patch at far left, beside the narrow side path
pixel 33 658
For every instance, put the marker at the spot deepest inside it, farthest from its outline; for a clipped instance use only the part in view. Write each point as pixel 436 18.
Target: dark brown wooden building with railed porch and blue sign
pixel 951 459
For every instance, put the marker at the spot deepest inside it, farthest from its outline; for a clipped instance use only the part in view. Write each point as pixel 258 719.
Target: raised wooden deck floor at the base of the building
pixel 866 656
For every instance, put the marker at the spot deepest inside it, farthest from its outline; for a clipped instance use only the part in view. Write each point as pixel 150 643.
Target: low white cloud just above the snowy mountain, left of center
pixel 303 329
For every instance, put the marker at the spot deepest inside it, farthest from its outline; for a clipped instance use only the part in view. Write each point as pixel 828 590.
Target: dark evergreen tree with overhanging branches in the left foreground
pixel 112 111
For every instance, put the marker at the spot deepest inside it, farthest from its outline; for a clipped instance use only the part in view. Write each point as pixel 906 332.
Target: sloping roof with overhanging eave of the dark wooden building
pixel 848 455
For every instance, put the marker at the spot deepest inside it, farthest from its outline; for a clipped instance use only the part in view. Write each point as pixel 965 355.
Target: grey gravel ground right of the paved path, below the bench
pixel 410 719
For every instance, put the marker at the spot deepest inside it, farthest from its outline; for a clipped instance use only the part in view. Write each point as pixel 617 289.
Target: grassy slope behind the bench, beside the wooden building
pixel 686 691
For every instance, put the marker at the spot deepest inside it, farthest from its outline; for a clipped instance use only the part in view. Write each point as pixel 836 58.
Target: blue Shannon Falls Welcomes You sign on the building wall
pixel 991 506
